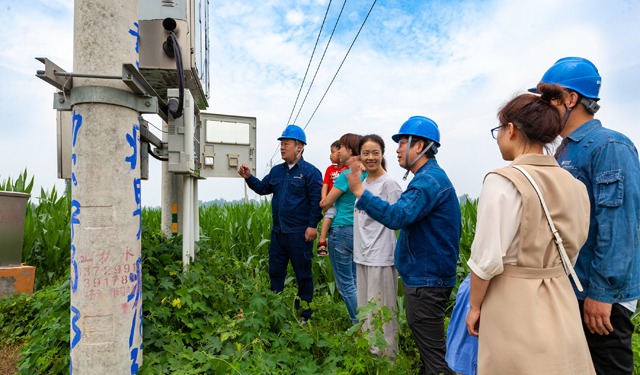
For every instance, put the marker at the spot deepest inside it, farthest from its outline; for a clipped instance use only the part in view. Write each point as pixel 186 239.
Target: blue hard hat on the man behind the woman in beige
pixel 574 73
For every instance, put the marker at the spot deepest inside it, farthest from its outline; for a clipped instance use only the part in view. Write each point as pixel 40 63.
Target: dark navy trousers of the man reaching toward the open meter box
pixel 292 247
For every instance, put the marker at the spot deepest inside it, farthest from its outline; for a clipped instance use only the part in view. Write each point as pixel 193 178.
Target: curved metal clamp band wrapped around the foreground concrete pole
pixel 106 95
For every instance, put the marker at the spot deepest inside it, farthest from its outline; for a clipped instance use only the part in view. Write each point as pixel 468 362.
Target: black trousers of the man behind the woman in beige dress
pixel 612 354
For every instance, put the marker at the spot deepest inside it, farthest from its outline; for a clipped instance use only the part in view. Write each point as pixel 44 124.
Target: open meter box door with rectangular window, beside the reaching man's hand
pixel 226 142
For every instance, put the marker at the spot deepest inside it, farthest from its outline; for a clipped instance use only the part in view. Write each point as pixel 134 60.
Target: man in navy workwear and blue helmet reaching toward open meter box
pixel 295 207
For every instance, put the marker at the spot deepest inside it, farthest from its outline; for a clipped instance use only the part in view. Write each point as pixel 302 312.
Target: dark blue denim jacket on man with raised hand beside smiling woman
pixel 428 214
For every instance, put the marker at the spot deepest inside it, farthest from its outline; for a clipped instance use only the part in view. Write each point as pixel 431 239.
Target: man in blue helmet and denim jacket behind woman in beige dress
pixel 608 265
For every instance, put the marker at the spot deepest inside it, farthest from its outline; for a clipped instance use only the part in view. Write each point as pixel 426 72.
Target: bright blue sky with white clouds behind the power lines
pixel 455 62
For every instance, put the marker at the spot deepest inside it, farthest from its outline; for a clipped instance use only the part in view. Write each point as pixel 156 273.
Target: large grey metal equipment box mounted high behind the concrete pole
pixel 191 22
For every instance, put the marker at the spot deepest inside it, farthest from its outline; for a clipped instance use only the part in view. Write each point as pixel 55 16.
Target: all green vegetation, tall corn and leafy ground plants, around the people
pixel 218 318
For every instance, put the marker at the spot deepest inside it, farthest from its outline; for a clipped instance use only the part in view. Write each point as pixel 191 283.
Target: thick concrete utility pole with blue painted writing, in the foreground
pixel 106 298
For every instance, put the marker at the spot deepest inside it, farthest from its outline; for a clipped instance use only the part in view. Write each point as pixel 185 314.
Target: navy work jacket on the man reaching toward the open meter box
pixel 296 196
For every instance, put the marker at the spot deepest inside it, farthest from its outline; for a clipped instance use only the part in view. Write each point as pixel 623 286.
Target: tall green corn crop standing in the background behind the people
pixel 239 228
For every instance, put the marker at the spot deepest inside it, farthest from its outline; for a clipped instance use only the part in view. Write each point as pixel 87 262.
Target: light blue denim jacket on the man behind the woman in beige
pixel 606 161
